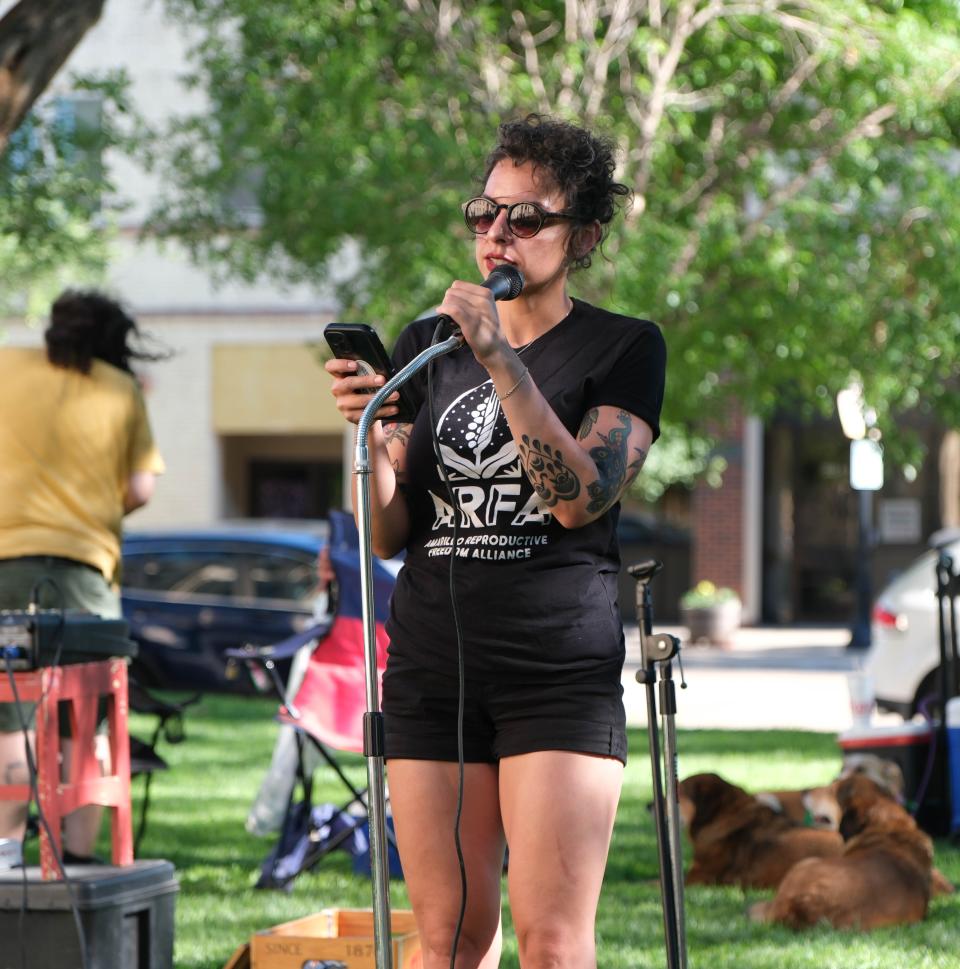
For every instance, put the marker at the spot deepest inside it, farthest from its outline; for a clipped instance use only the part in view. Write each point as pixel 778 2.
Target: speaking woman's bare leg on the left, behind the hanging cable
pixel 423 798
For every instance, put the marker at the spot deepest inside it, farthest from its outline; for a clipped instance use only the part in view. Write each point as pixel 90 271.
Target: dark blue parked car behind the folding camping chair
pixel 191 594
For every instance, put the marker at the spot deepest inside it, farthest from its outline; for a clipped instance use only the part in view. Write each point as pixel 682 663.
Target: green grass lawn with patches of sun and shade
pixel 198 809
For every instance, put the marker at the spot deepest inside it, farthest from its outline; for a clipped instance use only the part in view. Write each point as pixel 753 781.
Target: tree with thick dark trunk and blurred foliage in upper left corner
pixel 54 190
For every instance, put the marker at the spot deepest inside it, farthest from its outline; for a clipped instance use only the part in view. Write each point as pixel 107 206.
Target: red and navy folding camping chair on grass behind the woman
pixel 327 709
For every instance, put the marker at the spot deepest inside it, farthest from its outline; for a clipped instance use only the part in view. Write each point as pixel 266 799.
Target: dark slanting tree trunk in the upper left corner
pixel 36 37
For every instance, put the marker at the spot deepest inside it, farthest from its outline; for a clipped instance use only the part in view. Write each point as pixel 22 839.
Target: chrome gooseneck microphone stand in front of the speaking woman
pixel 373 733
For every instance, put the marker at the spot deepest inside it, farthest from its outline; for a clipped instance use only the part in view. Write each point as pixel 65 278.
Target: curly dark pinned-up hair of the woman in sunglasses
pixel 579 163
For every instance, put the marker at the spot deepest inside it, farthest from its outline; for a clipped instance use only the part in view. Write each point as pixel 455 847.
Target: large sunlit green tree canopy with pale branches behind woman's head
pixel 793 162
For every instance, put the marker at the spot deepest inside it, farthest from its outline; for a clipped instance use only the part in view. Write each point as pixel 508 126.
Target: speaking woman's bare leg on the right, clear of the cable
pixel 558 812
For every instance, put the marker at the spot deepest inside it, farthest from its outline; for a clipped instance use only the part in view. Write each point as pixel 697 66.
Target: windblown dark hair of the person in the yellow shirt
pixel 85 325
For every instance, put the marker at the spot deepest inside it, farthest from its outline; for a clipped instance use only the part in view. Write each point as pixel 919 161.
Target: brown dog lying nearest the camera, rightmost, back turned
pixel 883 877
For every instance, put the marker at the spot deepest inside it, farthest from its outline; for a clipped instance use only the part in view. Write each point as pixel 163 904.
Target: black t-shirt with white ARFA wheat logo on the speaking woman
pixel 534 598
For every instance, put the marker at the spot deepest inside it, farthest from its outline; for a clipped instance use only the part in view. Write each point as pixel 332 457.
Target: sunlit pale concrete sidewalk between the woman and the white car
pixel 770 678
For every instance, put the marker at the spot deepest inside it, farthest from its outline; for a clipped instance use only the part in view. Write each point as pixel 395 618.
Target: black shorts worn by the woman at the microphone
pixel 501 718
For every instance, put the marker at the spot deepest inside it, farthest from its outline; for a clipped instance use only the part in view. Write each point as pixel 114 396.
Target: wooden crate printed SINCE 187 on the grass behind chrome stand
pixel 337 935
